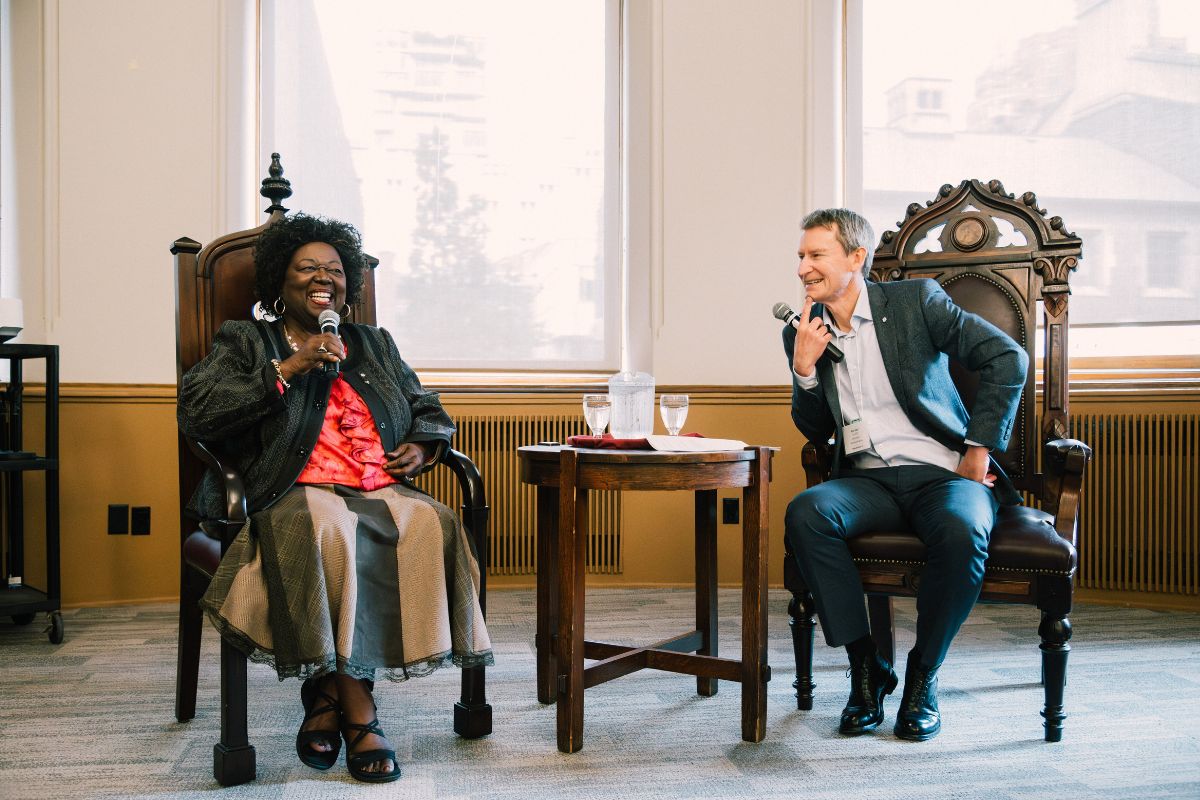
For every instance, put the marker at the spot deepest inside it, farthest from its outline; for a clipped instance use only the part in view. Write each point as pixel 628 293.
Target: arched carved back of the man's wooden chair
pixel 998 257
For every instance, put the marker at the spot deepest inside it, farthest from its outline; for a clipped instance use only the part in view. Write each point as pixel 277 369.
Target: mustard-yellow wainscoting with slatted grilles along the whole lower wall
pixel 1142 537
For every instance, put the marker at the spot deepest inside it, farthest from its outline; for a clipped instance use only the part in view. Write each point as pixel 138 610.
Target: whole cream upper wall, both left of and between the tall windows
pixel 134 133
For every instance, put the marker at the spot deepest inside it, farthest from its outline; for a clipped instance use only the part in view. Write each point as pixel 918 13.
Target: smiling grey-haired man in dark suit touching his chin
pixel 908 455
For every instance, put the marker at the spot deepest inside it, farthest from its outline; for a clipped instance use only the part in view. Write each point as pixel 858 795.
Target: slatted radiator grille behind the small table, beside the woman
pixel 493 442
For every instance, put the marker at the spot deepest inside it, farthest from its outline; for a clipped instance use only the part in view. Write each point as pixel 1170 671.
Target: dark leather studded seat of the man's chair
pixel 1024 539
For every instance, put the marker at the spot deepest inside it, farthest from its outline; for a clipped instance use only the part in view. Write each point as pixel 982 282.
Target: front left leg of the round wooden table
pixel 573 530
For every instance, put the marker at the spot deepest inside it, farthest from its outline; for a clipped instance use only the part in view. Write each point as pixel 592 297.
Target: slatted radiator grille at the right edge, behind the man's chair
pixel 1139 519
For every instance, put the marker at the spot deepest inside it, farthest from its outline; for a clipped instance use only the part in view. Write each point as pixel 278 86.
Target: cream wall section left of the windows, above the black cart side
pixel 125 104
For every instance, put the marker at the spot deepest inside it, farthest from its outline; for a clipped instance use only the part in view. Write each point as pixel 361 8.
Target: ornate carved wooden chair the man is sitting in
pixel 998 257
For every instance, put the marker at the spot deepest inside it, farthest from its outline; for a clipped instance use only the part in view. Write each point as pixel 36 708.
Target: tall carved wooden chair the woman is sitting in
pixel 214 285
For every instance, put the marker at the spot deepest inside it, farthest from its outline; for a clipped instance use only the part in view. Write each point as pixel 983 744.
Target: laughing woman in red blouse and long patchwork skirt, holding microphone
pixel 344 570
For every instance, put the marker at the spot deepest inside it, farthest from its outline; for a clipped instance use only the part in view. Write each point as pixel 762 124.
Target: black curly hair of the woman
pixel 281 240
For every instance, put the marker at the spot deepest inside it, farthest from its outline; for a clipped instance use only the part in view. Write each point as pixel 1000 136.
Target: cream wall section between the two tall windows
pixel 733 105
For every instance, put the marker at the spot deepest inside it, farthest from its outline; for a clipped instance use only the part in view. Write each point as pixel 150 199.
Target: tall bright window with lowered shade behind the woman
pixel 476 146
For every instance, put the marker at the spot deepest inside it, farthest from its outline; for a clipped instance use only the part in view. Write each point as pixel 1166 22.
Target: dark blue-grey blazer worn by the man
pixel 920 330
